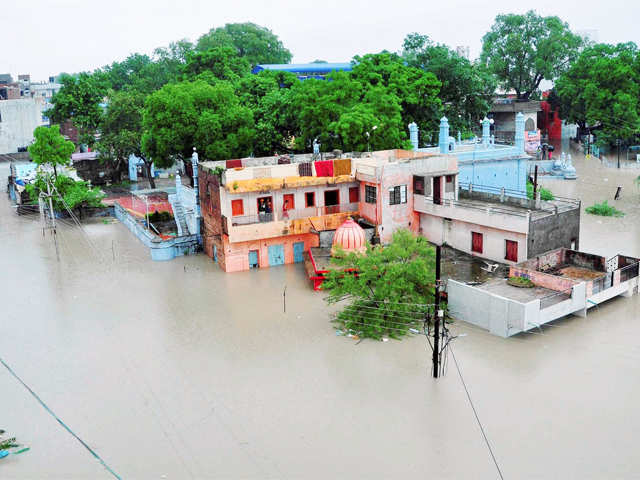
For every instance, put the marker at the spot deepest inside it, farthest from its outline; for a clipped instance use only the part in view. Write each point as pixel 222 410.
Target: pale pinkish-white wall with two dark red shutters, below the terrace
pixel 457 234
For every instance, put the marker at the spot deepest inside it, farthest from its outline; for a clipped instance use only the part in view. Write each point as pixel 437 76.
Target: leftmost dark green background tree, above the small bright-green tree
pixel 79 101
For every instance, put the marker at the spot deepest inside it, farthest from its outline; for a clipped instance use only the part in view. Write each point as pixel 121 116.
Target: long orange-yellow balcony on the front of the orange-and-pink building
pixel 243 228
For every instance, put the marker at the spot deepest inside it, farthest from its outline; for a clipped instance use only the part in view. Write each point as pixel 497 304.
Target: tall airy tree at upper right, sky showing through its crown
pixel 522 50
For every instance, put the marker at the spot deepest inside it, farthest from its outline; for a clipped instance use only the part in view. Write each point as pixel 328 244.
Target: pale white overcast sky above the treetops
pixel 45 37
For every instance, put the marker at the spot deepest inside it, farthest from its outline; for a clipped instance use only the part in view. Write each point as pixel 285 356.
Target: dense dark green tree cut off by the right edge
pixel 601 90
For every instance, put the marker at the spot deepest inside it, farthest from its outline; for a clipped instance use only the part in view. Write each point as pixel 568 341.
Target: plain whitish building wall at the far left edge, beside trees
pixel 18 120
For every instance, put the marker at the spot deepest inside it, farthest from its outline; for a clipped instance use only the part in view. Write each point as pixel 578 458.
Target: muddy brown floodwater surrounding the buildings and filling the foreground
pixel 178 370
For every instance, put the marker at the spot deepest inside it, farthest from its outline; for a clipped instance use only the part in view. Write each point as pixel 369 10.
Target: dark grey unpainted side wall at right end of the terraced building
pixel 554 231
